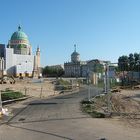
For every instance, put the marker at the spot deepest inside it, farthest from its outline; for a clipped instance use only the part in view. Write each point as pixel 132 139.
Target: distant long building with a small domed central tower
pixel 91 69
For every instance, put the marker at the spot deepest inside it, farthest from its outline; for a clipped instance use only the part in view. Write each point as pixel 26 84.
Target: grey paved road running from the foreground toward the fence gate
pixel 59 118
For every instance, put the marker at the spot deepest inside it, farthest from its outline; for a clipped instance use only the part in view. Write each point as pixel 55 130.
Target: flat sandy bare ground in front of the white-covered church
pixel 35 89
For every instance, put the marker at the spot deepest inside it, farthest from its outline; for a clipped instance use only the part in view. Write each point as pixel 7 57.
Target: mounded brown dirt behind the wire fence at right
pixel 124 106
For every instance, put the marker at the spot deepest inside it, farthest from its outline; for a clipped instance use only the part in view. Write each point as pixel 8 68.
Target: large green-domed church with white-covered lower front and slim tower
pixel 17 59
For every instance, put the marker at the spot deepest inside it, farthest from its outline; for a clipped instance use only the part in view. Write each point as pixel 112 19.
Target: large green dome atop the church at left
pixel 19 35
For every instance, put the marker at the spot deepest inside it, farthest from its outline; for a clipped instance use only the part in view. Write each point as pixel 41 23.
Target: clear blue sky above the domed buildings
pixel 102 29
